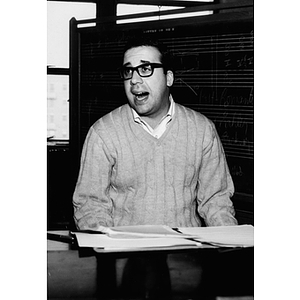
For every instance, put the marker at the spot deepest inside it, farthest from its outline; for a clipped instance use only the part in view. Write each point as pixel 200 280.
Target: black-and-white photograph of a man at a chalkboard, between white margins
pixel 150 150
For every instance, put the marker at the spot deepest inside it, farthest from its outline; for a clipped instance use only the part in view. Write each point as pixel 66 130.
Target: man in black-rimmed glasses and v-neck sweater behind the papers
pixel 152 161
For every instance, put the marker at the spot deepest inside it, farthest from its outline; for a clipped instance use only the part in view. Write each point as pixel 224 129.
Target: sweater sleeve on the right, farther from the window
pixel 215 183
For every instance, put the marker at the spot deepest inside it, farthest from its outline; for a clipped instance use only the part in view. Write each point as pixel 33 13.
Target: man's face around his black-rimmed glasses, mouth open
pixel 149 96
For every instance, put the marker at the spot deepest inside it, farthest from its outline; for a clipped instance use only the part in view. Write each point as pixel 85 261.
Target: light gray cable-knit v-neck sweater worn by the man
pixel 128 177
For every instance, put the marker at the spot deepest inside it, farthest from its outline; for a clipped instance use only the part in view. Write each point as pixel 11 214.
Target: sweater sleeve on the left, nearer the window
pixel 91 201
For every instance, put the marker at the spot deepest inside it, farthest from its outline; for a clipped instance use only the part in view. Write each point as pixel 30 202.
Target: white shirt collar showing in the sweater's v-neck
pixel 158 131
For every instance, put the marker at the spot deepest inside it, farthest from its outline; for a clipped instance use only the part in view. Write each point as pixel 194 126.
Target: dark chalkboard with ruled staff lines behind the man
pixel 214 75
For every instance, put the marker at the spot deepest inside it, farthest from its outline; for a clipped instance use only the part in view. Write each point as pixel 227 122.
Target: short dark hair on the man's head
pixel 143 40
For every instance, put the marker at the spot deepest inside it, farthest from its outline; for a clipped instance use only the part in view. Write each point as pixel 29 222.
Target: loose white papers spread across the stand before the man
pixel 157 236
